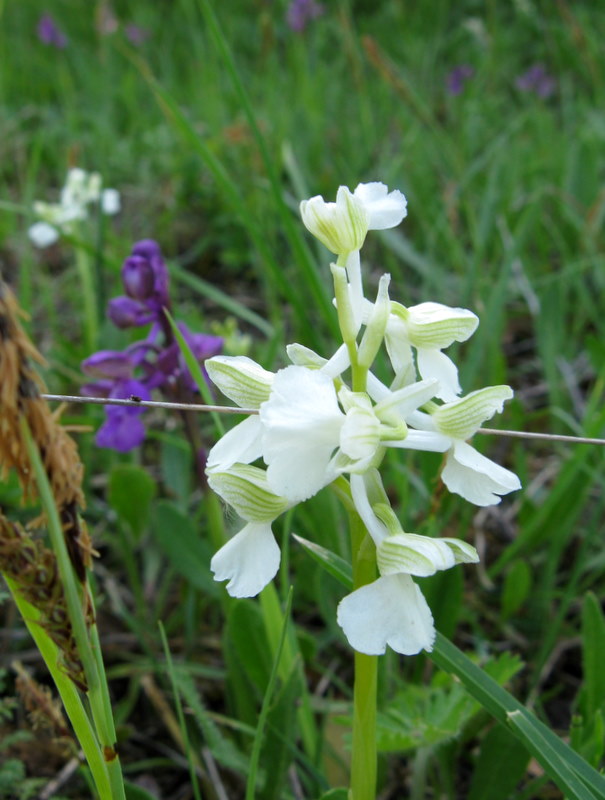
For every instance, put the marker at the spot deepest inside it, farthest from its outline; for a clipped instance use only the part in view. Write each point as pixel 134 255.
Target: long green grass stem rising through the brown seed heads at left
pixel 98 694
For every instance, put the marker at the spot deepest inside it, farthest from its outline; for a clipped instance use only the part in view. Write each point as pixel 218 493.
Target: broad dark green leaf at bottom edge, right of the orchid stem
pixel 500 766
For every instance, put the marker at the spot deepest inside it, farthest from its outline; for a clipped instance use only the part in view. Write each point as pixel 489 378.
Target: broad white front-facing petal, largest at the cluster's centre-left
pixel 301 429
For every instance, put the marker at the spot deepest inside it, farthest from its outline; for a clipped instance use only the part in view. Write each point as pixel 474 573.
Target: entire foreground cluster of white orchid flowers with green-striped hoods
pixel 311 428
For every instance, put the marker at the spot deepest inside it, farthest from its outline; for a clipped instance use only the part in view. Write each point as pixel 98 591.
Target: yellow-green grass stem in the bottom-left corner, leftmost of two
pixel 68 693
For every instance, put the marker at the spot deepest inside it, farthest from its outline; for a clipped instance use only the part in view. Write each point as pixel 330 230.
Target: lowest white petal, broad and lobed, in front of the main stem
pixel 391 611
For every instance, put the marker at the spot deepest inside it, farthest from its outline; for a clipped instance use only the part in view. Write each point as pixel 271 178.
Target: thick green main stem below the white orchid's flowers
pixel 363 756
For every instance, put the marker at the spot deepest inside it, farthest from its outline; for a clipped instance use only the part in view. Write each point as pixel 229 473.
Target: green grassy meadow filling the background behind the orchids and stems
pixel 212 153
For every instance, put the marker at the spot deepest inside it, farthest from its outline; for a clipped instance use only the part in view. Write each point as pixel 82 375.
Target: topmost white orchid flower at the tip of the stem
pixel 342 226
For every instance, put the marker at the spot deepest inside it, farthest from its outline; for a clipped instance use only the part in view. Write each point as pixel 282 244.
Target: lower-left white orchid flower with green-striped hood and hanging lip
pixel 251 558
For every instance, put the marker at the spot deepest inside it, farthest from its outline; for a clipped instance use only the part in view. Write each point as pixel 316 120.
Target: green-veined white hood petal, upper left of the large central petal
pixel 240 379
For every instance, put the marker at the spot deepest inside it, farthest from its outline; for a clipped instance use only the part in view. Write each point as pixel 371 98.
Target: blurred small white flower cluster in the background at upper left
pixel 81 190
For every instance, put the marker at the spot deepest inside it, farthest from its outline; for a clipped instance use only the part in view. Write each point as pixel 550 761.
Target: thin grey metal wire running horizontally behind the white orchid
pixel 135 401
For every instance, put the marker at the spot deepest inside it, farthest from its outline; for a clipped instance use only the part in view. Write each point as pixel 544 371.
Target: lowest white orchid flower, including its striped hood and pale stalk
pixel 392 610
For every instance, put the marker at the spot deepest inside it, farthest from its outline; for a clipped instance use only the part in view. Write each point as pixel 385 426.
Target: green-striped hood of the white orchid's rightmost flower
pixel 461 418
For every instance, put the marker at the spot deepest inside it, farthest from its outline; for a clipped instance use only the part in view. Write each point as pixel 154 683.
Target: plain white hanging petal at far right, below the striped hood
pixel 475 477
